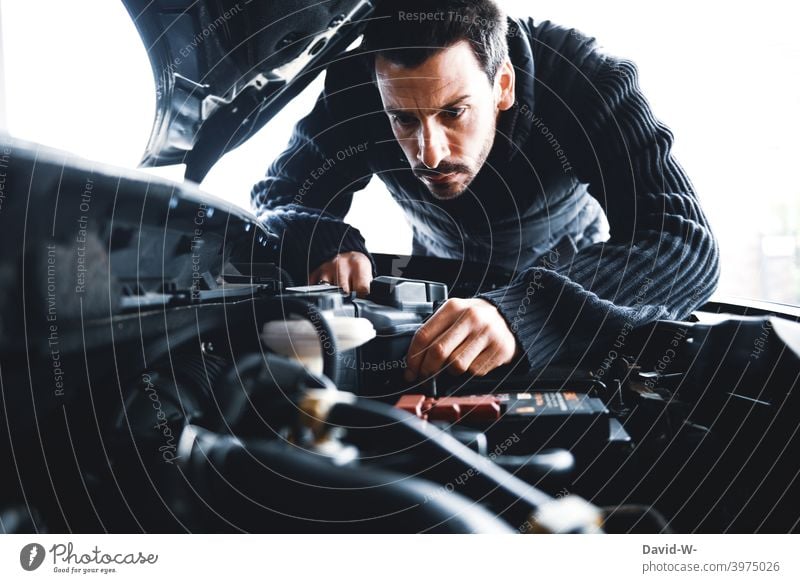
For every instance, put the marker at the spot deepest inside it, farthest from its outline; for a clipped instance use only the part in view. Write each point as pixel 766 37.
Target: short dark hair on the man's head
pixel 409 32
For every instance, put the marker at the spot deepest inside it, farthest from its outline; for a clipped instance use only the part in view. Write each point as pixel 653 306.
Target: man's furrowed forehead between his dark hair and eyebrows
pixel 447 74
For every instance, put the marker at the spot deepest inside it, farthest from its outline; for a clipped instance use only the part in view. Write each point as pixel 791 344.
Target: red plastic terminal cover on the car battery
pixel 451 409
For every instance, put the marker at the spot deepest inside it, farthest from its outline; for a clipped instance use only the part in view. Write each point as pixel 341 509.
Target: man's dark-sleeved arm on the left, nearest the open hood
pixel 308 189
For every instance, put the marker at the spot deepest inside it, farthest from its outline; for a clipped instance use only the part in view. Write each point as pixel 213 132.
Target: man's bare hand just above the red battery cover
pixel 462 336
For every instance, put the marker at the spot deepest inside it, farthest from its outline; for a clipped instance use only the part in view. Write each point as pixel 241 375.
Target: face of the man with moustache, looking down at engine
pixel 444 114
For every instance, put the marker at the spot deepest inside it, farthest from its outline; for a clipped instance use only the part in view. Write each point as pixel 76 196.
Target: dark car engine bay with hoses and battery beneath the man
pixel 161 373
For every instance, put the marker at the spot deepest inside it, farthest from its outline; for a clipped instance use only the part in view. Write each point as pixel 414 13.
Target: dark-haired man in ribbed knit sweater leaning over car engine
pixel 508 142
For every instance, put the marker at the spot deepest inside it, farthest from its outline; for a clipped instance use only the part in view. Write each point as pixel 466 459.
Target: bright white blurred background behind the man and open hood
pixel 725 77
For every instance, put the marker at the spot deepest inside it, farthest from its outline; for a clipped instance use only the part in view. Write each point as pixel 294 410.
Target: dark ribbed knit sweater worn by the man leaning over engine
pixel 580 131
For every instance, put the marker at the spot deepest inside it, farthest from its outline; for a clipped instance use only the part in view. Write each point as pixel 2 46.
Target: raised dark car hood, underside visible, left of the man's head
pixel 224 68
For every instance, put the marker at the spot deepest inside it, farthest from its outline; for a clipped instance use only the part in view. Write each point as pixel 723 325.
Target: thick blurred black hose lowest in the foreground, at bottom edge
pixel 271 486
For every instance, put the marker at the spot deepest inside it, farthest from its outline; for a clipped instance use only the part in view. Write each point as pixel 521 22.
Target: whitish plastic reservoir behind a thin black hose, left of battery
pixel 297 338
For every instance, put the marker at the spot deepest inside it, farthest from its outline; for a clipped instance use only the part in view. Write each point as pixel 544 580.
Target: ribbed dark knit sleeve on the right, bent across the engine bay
pixel 661 260
